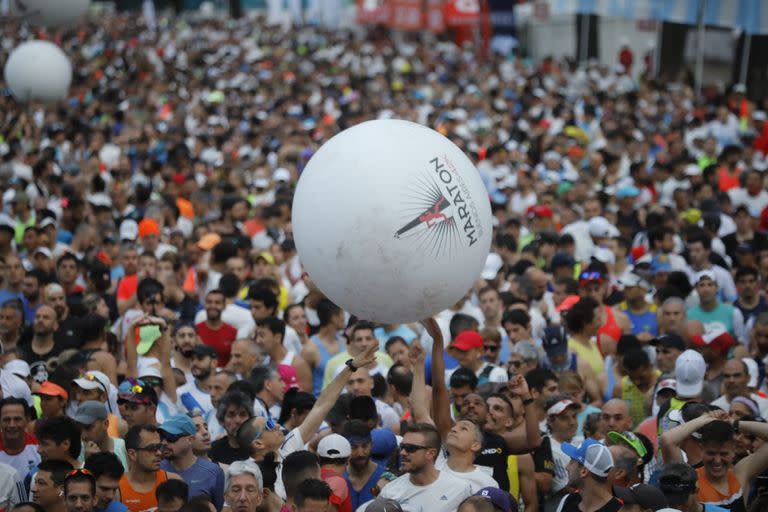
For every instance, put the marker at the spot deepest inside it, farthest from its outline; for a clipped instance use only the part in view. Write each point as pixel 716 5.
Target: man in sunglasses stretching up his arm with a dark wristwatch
pixel 264 437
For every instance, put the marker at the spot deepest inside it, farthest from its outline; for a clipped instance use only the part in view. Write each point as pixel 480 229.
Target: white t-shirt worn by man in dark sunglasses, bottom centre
pixel 443 495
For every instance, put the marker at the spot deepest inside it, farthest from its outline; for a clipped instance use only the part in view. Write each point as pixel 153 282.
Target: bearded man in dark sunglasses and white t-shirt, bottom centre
pixel 423 487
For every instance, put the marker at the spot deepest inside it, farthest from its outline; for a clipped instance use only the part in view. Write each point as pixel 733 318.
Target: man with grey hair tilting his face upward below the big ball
pixel 463 442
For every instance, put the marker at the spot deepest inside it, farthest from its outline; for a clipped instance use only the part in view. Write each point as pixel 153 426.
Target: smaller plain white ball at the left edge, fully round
pixel 39 71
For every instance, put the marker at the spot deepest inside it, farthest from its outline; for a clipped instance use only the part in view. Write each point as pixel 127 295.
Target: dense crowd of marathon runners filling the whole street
pixel 163 348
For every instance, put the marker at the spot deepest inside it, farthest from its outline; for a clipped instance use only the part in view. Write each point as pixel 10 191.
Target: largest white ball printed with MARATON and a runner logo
pixel 392 221
